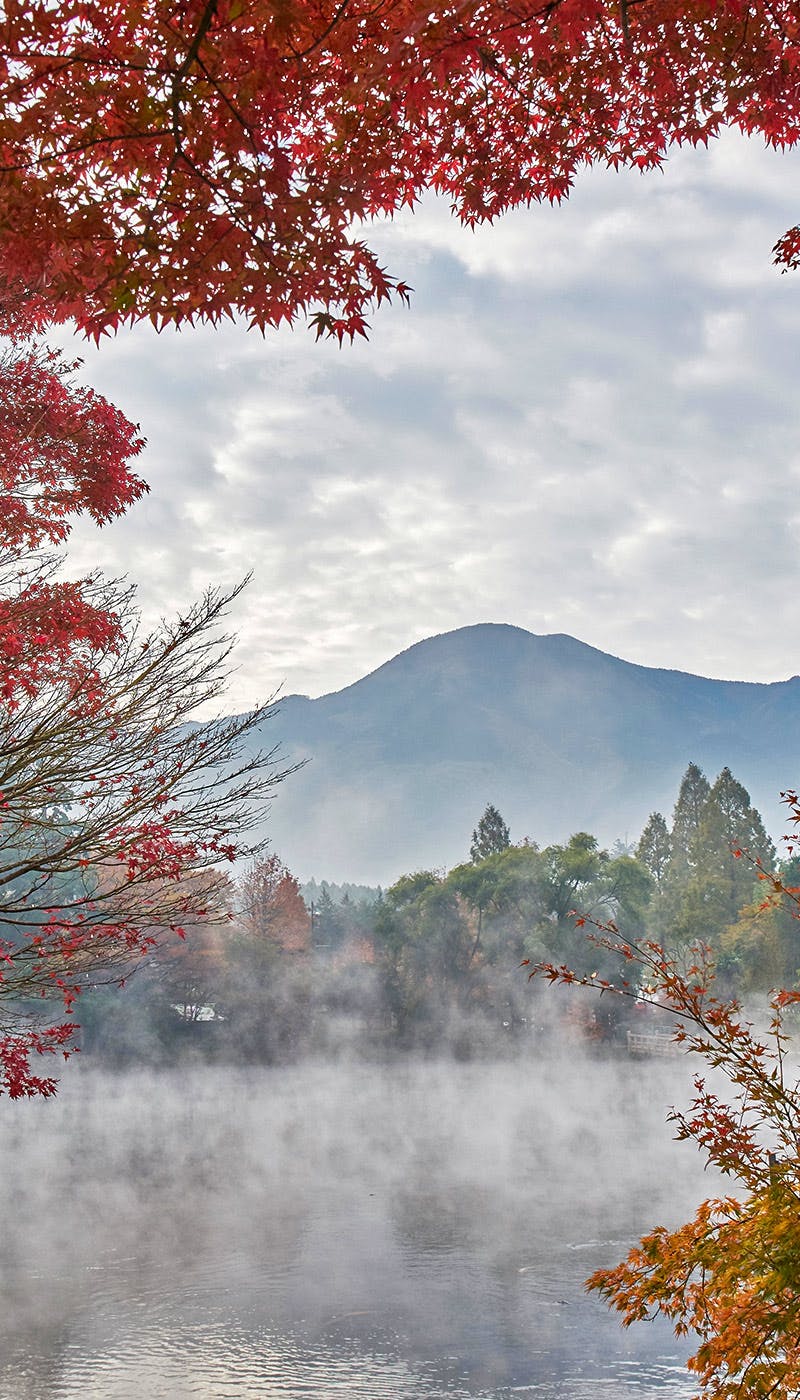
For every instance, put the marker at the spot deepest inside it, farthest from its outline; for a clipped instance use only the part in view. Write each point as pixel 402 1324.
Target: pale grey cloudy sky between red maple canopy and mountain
pixel 588 422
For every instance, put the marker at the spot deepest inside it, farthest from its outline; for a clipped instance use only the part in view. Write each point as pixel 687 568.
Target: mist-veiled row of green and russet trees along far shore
pixel 435 962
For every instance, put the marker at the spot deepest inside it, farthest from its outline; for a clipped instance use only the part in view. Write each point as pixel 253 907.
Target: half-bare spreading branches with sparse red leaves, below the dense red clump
pixel 110 807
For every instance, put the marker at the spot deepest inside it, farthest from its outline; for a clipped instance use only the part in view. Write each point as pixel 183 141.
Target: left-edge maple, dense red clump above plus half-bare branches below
pixel 110 800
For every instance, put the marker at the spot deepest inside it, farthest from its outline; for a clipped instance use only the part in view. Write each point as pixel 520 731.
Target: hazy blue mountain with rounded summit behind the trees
pixel 558 736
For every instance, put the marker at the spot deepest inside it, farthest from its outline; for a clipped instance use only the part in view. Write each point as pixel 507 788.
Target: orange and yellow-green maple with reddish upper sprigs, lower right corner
pixel 729 1276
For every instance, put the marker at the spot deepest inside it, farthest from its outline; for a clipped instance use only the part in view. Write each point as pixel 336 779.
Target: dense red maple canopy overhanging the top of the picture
pixel 207 157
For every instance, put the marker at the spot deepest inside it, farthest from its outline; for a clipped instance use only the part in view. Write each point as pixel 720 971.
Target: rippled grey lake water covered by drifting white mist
pixel 410 1231
